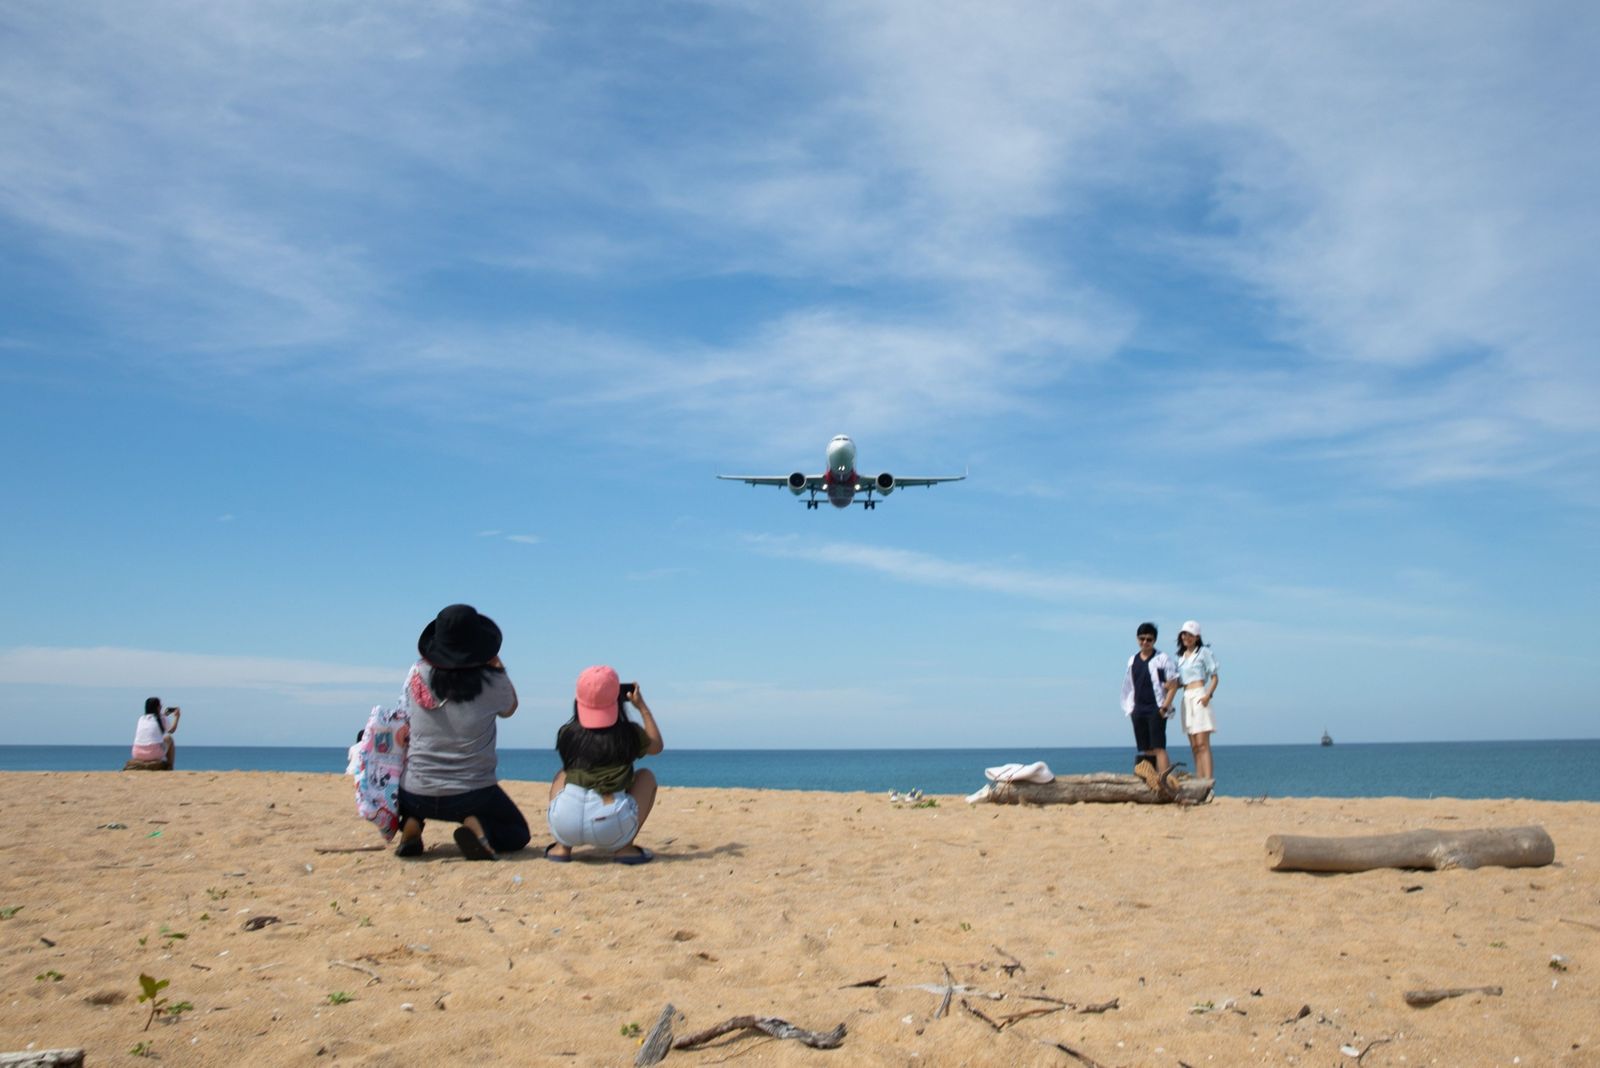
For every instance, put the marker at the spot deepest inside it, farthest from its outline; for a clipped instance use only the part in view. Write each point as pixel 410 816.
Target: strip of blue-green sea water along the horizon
pixel 1545 770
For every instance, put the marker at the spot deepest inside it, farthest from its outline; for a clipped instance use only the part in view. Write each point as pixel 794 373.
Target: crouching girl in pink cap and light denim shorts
pixel 598 799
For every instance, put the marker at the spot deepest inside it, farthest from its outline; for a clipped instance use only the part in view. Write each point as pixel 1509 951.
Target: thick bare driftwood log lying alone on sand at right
pixel 1502 848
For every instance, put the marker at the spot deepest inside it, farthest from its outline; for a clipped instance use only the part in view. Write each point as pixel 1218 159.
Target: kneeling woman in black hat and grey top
pixel 455 698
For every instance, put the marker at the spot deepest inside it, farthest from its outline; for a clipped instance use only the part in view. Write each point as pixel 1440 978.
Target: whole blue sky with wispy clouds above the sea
pixel 316 317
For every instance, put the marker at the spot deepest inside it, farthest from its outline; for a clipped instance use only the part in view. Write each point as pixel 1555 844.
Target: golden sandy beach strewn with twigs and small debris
pixel 1161 928
